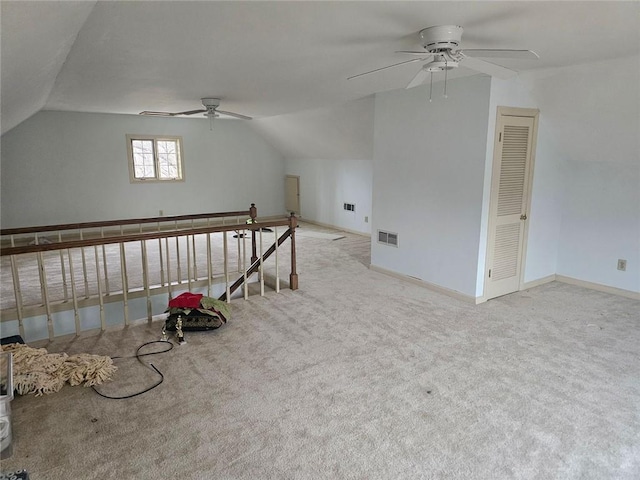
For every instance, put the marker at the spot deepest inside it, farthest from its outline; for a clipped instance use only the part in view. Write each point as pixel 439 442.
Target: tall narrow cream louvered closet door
pixel 509 204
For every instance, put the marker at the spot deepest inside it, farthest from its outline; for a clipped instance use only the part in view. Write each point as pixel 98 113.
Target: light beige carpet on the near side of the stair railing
pixel 359 376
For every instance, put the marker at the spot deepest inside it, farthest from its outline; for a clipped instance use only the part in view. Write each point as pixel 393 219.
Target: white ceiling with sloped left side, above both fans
pixel 268 58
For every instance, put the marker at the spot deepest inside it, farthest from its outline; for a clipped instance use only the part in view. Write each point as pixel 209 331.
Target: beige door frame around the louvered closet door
pixel 495 182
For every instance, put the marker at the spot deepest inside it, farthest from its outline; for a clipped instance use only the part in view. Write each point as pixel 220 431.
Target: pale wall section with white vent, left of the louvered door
pixel 428 180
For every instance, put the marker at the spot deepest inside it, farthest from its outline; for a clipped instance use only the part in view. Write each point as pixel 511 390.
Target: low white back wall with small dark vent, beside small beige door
pixel 325 185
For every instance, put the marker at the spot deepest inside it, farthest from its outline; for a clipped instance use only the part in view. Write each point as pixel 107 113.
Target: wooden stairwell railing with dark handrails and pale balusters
pixel 98 263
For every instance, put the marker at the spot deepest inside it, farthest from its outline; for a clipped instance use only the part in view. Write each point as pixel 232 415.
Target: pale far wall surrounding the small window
pixel 60 167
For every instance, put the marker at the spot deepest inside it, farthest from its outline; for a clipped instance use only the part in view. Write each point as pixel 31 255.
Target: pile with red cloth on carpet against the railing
pixel 197 312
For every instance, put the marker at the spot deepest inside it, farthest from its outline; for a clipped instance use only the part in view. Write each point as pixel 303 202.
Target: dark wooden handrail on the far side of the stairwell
pixel 115 223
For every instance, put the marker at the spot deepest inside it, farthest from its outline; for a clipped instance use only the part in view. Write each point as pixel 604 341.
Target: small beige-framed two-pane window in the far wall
pixel 155 158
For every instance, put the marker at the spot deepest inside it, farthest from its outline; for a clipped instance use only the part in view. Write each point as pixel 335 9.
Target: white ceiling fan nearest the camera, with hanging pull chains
pixel 442 52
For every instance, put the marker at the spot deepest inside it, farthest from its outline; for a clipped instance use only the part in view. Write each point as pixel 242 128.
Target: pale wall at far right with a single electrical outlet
pixel 593 111
